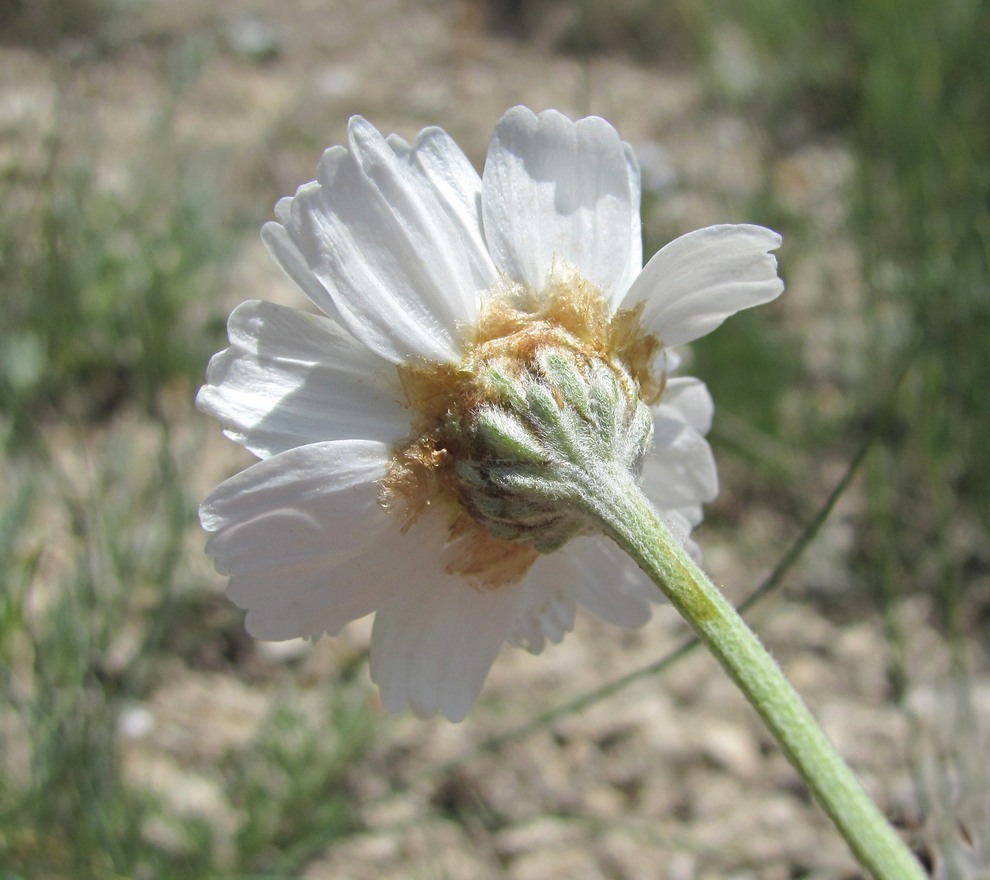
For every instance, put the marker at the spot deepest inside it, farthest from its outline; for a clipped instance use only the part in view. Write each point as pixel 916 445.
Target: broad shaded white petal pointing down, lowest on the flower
pixel 433 645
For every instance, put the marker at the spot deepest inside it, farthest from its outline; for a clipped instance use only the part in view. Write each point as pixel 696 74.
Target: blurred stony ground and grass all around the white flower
pixel 144 735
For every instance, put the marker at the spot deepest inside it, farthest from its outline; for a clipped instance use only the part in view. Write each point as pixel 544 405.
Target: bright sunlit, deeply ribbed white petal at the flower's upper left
pixel 388 245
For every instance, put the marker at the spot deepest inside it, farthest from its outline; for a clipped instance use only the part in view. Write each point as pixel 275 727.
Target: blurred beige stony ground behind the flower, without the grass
pixel 672 777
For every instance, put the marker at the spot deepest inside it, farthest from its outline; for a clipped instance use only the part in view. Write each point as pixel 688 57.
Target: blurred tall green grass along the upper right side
pixel 904 84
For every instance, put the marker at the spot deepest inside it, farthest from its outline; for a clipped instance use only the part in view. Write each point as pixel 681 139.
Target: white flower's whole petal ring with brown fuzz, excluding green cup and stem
pixel 406 251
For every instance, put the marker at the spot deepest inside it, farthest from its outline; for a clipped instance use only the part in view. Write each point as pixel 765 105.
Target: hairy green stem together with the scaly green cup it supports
pixel 552 453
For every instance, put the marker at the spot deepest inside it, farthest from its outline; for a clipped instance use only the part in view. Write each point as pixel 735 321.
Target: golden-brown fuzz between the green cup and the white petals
pixel 515 325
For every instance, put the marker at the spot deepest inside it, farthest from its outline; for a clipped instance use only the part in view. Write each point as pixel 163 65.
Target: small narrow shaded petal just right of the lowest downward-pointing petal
pixel 548 607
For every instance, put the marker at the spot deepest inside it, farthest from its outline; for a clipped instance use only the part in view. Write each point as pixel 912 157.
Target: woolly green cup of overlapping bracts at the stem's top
pixel 543 433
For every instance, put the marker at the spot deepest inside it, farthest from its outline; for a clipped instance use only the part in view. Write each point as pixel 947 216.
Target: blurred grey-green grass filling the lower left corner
pixel 92 607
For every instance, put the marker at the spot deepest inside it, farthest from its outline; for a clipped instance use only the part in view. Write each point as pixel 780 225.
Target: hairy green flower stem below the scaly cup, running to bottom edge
pixel 624 513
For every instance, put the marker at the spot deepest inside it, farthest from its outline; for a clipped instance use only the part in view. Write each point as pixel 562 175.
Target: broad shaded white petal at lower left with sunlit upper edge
pixel 302 535
